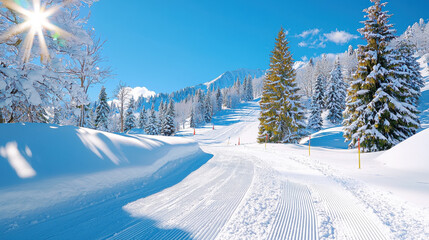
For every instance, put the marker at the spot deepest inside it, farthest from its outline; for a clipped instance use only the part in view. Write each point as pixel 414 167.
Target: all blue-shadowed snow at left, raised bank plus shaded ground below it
pixel 66 182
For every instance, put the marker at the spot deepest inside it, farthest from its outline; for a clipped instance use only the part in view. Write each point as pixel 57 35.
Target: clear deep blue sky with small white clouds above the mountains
pixel 168 45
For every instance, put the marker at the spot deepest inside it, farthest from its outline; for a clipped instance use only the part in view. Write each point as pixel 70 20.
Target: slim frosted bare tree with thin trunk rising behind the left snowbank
pixel 87 69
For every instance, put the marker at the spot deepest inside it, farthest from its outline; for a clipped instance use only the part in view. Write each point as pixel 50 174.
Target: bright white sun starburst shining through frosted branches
pixel 36 23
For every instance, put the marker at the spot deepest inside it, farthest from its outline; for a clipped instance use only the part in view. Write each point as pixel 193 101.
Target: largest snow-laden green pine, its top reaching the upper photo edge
pixel 377 110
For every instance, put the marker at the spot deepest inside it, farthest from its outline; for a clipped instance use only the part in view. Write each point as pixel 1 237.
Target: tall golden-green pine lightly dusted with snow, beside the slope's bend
pixel 281 113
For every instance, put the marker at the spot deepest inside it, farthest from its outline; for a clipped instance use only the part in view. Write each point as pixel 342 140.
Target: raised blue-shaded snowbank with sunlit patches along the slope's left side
pixel 30 152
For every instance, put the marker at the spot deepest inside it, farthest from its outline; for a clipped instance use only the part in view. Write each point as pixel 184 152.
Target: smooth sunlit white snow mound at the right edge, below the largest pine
pixel 410 155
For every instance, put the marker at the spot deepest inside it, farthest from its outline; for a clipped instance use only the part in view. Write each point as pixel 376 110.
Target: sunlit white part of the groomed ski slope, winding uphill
pixel 248 192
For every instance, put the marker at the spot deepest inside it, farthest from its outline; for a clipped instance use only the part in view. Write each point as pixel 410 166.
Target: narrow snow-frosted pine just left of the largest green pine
pixel 336 94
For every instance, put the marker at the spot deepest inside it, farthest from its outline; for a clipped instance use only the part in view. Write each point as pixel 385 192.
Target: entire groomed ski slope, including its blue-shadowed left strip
pixel 248 191
